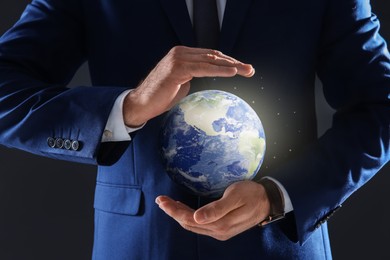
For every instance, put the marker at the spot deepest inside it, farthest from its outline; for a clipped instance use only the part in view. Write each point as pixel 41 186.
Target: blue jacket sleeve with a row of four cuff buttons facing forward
pixel 38 57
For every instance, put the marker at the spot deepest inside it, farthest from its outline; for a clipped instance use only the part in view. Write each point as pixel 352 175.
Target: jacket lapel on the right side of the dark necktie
pixel 234 17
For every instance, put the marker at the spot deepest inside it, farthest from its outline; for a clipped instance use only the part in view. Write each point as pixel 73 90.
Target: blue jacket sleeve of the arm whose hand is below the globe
pixel 354 68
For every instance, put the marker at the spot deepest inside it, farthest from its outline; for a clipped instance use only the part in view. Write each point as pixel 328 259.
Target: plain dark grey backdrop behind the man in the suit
pixel 46 206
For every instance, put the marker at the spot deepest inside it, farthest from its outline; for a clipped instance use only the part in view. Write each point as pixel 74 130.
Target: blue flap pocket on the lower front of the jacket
pixel 118 199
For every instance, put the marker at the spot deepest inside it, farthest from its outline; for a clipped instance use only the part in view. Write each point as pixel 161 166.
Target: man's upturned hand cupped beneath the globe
pixel 243 205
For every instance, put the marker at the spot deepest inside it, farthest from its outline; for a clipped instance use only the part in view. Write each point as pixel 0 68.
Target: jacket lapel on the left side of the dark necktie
pixel 177 13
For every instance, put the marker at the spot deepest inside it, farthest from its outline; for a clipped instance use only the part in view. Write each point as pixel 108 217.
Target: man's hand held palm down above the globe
pixel 169 81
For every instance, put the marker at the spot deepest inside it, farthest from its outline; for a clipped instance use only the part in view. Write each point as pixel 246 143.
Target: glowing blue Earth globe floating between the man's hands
pixel 210 140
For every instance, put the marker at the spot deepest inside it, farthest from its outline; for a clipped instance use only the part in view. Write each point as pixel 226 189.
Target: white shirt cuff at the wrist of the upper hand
pixel 116 130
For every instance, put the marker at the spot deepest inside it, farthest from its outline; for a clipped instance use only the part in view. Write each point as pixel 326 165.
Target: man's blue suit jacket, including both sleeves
pixel 287 42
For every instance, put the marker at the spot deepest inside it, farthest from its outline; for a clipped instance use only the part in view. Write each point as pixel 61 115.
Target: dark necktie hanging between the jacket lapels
pixel 206 23
